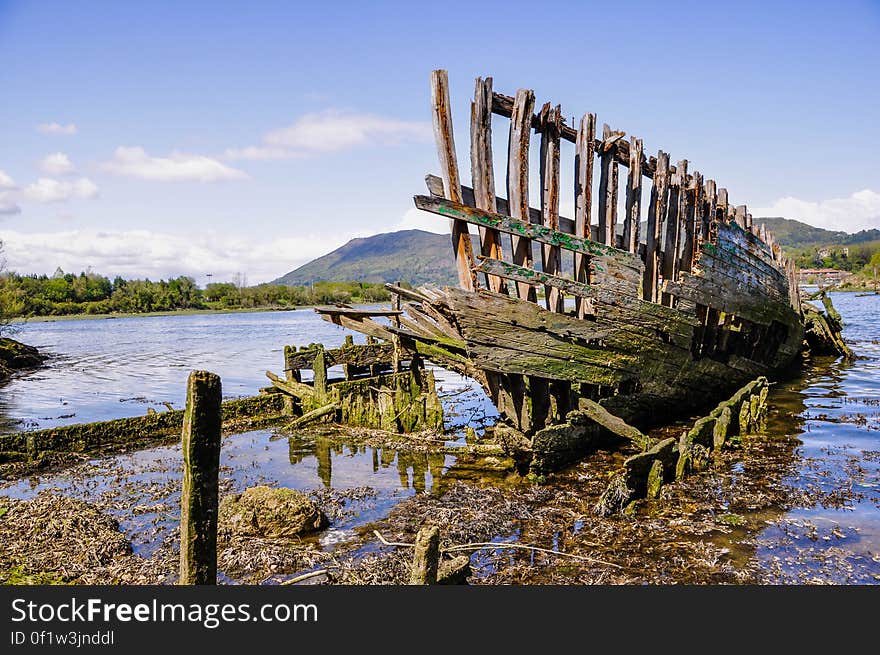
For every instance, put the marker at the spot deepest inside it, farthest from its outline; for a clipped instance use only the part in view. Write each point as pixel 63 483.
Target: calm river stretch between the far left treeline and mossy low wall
pixel 113 368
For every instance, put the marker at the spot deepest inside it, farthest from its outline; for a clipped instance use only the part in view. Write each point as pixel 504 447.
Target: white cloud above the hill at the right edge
pixel 859 211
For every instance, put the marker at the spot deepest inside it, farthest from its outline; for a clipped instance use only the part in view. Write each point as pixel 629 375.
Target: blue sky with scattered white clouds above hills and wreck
pixel 170 138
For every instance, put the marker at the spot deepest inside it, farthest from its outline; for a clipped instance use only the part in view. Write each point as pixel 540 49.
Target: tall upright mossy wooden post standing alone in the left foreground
pixel 201 466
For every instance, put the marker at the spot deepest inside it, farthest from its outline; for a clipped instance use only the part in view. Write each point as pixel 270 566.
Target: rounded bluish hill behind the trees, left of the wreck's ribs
pixel 413 256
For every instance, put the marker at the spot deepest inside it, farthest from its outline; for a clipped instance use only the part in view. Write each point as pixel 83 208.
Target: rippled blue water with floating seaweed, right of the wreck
pixel 834 410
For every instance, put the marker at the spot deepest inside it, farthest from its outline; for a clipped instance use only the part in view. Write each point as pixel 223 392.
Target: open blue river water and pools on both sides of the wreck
pixel 103 369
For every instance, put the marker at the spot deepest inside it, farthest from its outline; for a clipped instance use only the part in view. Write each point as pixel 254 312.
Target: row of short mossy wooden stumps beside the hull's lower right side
pixel 644 475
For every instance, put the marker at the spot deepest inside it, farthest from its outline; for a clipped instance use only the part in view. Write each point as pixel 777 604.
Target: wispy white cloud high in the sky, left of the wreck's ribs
pixel 331 131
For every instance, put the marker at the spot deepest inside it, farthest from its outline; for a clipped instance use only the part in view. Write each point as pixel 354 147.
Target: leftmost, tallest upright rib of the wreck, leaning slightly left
pixel 442 120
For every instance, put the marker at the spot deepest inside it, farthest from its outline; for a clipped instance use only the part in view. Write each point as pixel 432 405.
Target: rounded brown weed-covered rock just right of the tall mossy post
pixel 270 512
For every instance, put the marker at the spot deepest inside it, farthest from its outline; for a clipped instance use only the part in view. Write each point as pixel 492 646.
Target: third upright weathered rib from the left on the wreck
pixel 518 181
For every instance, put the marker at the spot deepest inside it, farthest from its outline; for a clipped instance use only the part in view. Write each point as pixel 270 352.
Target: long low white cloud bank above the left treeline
pixel 143 253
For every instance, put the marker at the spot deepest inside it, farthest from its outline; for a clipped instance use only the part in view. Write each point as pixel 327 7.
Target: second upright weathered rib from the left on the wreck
pixel 482 172
